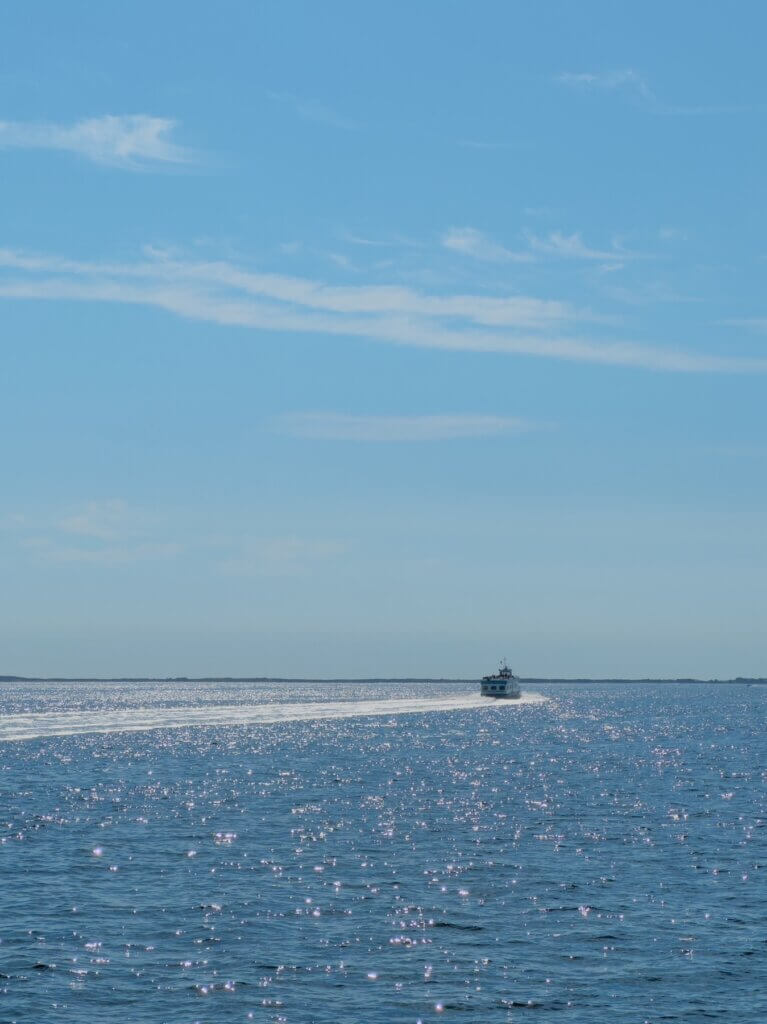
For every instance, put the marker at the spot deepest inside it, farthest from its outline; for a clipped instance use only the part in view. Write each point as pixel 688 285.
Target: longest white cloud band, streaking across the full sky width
pixel 223 293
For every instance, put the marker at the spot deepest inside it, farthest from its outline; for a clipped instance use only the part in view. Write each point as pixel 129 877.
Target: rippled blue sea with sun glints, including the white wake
pixel 377 854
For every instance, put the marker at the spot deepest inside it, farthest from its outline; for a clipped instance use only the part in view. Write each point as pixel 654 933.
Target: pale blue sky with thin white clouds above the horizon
pixel 383 339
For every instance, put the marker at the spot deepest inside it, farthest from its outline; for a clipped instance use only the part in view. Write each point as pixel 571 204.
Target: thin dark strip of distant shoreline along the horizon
pixel 740 680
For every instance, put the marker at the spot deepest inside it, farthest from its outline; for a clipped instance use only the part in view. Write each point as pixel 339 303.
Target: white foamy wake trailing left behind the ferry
pixel 71 723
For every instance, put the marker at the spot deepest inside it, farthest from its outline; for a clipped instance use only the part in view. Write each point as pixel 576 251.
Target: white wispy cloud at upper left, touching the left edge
pixel 135 142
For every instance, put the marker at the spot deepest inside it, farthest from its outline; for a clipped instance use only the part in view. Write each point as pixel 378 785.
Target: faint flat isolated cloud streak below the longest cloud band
pixel 345 428
